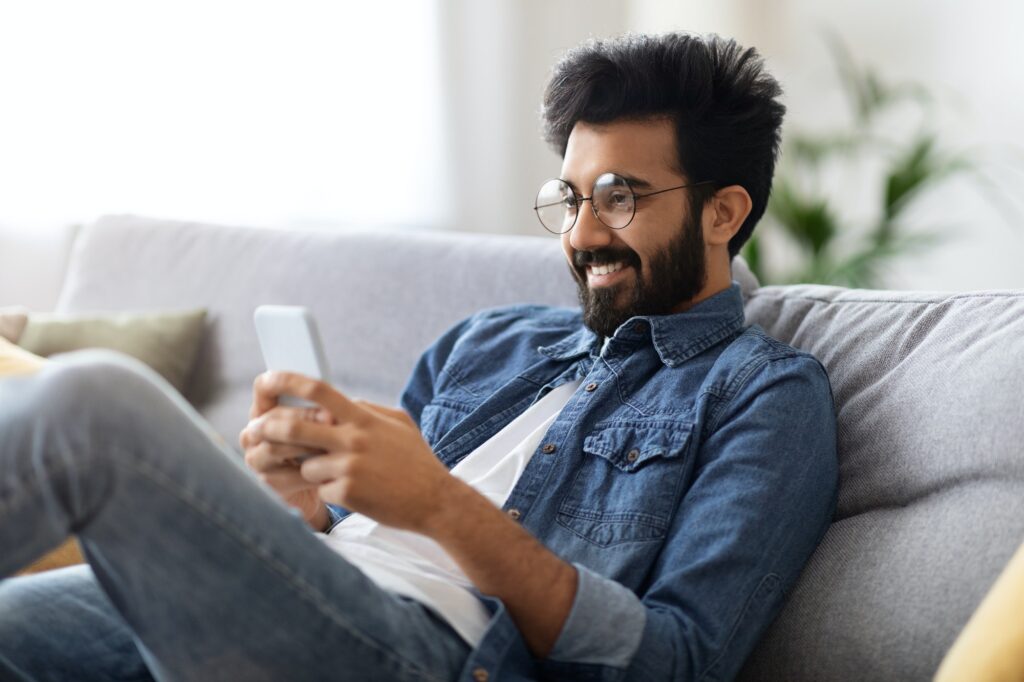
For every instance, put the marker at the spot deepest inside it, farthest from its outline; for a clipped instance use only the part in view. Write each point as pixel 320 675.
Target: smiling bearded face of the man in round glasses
pixel 660 257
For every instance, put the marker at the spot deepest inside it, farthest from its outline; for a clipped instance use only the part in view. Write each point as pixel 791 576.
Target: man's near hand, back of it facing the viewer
pixel 375 460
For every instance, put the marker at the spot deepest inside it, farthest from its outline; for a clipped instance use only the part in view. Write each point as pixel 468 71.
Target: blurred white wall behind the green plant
pixel 970 55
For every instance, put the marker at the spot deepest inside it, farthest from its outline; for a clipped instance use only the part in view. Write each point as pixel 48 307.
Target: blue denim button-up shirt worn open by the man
pixel 689 479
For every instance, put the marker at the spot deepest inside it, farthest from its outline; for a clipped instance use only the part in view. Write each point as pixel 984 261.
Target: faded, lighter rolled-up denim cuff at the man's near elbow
pixel 605 626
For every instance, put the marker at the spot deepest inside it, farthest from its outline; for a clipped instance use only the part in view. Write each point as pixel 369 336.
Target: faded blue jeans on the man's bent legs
pixel 197 571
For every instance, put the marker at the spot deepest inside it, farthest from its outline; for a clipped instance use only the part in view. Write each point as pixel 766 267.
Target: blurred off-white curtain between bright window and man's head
pixel 497 58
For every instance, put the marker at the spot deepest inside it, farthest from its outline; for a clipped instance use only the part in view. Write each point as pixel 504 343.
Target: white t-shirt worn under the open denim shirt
pixel 415 566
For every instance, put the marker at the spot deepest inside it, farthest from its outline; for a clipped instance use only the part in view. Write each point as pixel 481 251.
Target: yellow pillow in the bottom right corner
pixel 991 649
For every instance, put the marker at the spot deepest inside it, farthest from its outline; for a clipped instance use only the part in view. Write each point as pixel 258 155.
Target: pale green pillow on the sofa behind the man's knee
pixel 167 342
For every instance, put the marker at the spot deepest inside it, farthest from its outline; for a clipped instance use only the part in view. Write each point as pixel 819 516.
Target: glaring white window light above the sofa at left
pixel 297 113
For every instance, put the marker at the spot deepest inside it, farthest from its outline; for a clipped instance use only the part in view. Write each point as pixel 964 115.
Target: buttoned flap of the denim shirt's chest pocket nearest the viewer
pixel 630 447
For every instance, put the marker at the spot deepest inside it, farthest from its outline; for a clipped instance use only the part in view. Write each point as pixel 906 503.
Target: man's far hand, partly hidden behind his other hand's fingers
pixel 277 465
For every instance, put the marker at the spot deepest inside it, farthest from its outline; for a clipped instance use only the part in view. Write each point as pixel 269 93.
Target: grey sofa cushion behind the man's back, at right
pixel 931 427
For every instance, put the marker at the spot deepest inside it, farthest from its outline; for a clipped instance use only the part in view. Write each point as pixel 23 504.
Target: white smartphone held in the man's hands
pixel 291 343
